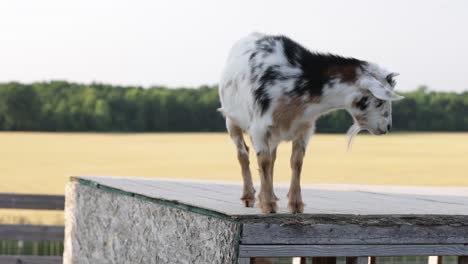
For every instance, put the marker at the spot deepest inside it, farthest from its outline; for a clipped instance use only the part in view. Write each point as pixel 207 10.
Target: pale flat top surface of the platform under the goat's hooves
pixel 353 200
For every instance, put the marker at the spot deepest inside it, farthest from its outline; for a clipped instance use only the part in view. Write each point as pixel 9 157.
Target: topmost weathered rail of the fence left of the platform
pixel 31 201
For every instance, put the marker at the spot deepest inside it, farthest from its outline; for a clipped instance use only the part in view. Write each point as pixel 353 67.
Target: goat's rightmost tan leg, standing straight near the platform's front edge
pixel 295 204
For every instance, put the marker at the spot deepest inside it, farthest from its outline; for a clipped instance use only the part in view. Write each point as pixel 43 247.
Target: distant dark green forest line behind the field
pixel 64 106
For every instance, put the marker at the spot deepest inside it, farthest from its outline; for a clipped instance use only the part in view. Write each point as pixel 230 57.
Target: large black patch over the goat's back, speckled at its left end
pixel 316 69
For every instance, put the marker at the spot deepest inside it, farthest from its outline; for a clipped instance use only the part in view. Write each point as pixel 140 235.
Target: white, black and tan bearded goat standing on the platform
pixel 274 89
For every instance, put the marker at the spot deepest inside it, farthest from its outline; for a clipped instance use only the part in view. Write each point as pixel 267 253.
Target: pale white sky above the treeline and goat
pixel 185 43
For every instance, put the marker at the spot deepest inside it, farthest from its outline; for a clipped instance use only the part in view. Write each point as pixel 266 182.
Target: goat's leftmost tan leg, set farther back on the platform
pixel 248 194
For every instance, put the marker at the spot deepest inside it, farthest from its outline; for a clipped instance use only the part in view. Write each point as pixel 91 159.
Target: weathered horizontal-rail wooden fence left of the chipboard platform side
pixel 31 232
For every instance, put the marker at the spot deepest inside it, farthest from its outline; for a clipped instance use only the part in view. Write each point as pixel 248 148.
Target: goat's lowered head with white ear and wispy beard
pixel 371 103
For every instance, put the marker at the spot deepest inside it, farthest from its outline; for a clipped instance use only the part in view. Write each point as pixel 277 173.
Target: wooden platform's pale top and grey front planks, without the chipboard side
pixel 339 220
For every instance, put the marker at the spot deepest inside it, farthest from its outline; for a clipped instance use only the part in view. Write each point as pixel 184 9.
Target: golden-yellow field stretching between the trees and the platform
pixel 42 162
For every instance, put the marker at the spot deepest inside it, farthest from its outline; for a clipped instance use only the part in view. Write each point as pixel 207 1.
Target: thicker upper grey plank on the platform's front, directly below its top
pixel 309 233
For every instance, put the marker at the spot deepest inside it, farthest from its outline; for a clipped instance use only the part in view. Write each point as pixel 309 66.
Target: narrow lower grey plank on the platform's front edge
pixel 351 250
